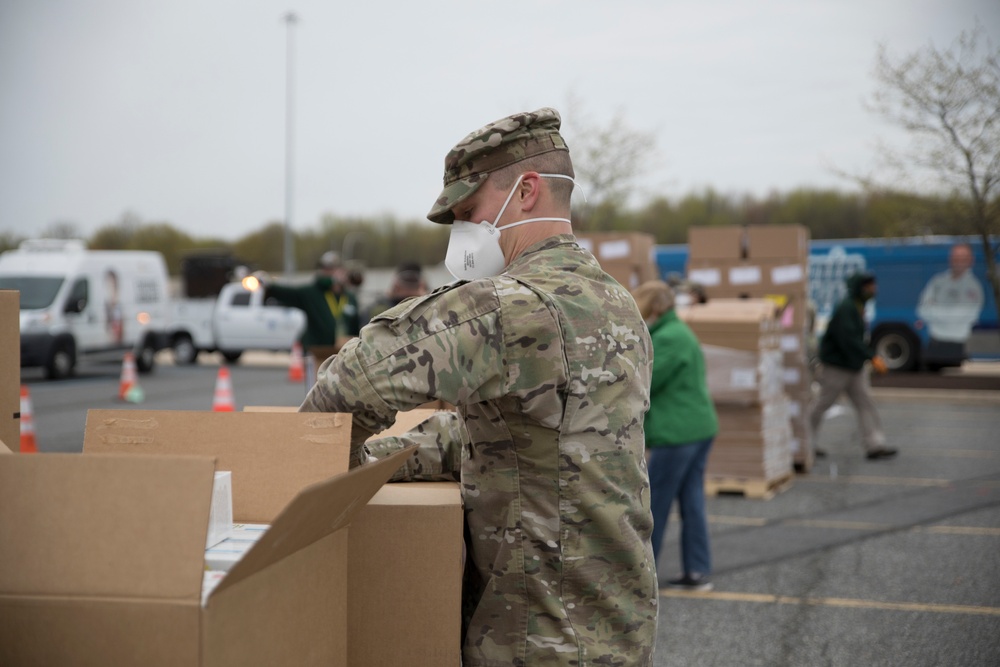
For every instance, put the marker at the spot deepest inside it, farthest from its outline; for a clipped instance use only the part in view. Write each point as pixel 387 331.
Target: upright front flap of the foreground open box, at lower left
pixel 108 526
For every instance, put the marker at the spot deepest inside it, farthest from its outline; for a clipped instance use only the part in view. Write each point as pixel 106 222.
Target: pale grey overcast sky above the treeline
pixel 174 110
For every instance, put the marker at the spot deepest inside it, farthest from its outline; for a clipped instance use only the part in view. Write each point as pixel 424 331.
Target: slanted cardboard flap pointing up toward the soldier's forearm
pixel 306 518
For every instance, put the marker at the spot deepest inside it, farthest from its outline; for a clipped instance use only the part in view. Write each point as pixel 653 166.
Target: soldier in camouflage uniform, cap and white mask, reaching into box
pixel 548 364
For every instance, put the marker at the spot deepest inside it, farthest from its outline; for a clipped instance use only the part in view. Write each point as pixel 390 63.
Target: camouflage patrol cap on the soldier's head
pixel 493 147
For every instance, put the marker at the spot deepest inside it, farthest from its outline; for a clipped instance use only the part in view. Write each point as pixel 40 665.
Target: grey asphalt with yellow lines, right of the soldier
pixel 889 562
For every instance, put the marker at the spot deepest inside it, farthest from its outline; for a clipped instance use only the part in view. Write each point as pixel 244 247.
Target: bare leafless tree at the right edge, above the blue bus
pixel 948 102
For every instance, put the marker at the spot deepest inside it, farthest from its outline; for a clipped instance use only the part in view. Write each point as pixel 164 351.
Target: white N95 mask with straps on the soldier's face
pixel 474 248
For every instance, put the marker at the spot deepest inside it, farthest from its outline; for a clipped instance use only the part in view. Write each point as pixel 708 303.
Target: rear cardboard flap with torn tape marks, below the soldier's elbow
pixel 271 455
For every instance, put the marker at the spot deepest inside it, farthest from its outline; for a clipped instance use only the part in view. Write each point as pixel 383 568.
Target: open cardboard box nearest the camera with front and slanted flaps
pixel 102 561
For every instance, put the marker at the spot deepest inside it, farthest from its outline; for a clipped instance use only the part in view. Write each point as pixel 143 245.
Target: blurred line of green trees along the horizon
pixel 384 242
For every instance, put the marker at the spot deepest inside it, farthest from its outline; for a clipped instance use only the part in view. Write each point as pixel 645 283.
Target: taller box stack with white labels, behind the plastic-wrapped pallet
pixel 767 262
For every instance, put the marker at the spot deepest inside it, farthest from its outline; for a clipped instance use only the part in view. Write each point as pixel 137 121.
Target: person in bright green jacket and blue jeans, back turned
pixel 680 427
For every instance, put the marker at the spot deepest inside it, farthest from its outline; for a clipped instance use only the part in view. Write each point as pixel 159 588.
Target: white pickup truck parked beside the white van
pixel 237 320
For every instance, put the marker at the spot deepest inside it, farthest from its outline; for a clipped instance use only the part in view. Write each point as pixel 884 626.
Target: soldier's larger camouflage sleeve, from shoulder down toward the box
pixel 446 345
